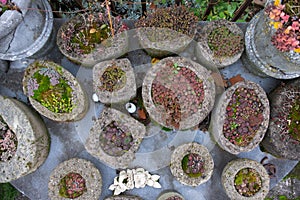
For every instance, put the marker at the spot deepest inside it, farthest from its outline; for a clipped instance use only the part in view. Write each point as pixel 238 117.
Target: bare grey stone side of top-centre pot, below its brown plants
pixel 157 43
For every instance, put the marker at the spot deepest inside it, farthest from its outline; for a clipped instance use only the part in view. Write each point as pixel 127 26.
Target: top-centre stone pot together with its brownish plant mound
pixel 166 31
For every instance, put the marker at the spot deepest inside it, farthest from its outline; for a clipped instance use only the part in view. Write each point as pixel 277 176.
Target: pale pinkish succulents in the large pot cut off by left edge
pixel 8 142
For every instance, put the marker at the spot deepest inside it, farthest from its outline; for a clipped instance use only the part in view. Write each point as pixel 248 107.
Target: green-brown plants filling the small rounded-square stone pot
pixel 113 79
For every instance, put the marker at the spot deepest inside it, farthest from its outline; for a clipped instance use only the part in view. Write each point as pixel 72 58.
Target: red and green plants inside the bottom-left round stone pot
pixel 72 186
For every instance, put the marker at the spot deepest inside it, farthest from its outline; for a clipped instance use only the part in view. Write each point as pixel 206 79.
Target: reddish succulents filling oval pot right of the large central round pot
pixel 243 116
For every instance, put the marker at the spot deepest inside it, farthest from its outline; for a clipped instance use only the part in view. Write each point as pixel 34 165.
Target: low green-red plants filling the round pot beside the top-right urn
pixel 224 43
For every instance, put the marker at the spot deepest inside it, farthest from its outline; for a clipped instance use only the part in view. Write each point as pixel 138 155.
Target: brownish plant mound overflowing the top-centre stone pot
pixel 177 18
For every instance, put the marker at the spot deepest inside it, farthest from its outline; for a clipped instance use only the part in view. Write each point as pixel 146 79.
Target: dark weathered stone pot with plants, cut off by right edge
pixel 278 139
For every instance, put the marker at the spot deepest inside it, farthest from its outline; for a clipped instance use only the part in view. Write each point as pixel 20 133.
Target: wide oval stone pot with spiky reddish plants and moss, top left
pixel 88 39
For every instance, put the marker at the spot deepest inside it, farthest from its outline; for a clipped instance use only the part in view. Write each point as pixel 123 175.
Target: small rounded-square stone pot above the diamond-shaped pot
pixel 121 94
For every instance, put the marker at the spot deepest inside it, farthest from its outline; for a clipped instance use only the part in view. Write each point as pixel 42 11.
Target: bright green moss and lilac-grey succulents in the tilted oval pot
pixel 51 89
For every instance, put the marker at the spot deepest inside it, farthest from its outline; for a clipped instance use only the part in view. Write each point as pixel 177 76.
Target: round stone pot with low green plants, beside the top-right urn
pixel 220 43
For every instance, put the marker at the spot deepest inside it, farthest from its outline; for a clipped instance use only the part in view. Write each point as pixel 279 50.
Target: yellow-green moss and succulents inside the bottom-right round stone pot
pixel 247 182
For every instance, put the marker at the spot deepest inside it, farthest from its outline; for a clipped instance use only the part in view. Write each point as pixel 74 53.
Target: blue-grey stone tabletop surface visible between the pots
pixel 67 139
